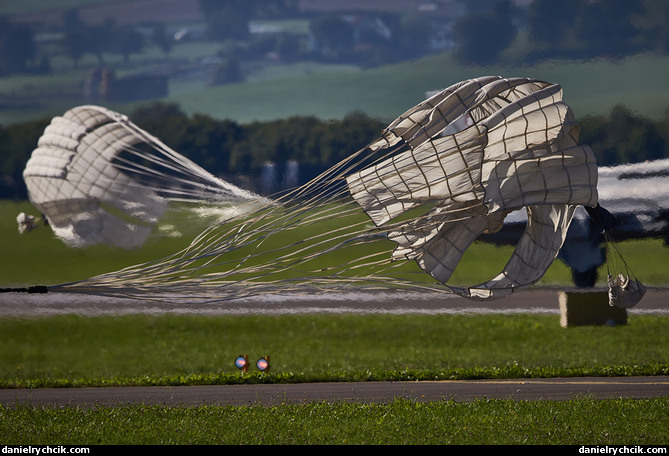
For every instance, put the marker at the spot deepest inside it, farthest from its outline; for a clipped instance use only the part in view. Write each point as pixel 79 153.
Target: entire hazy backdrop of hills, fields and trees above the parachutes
pixel 222 81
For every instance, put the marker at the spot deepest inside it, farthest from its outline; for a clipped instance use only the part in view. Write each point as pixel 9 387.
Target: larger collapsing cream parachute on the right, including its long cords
pixel 409 203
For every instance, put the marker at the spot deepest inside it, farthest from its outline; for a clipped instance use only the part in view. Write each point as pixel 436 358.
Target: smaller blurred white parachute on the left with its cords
pixel 99 178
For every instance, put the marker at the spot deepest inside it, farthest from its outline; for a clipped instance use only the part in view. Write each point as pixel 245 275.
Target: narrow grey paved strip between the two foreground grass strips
pixel 372 392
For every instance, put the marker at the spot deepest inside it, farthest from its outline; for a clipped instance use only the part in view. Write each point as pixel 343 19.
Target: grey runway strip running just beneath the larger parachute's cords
pixel 534 300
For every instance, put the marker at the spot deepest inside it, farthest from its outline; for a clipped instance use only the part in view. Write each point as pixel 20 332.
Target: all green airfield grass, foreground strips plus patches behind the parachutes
pixel 76 351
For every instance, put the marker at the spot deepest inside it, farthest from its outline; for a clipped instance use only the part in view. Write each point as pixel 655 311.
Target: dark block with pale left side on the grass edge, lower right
pixel 579 308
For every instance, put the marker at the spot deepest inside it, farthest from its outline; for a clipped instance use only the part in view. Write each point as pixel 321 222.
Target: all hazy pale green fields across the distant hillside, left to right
pixel 332 91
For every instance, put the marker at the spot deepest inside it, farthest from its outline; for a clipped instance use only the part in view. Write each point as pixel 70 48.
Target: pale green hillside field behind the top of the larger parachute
pixel 386 92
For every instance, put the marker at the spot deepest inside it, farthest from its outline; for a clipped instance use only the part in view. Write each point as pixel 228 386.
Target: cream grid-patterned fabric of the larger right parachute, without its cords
pixel 524 153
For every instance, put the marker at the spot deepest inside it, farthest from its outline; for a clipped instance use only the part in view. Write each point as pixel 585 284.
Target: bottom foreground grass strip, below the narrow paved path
pixel 401 422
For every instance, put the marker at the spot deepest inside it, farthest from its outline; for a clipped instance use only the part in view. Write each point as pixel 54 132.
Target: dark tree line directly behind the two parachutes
pixel 238 152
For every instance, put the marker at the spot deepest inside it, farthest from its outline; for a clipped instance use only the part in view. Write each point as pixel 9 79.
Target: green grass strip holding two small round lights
pixel 140 350
